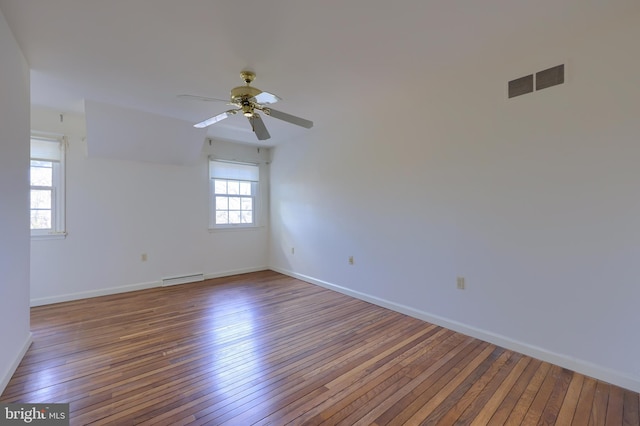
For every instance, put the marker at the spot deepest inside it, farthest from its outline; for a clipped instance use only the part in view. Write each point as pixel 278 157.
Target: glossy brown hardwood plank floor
pixel 264 348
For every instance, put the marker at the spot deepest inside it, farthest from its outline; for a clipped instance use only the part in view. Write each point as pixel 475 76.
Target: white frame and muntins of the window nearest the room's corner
pixel 213 195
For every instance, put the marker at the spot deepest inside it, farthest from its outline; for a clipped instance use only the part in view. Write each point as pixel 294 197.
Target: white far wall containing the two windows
pixel 117 210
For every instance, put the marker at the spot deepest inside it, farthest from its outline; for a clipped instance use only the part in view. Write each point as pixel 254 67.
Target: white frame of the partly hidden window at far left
pixel 57 188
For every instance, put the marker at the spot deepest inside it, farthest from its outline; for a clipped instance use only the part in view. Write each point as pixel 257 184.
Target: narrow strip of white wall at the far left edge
pixel 14 204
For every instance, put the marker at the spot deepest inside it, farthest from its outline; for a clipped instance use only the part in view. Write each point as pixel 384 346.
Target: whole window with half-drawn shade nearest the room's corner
pixel 234 194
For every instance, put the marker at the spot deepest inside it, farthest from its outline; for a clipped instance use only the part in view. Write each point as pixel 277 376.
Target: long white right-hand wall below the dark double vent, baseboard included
pixel 534 200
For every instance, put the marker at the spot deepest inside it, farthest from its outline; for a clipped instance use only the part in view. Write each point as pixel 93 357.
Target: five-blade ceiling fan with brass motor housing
pixel 249 100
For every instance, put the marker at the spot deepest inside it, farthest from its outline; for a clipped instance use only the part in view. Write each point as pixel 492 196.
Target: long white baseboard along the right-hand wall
pixel 578 365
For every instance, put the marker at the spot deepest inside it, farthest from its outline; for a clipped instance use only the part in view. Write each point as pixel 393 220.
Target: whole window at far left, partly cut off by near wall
pixel 47 187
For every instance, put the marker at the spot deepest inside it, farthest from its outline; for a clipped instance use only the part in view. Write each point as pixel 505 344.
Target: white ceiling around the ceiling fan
pixel 320 57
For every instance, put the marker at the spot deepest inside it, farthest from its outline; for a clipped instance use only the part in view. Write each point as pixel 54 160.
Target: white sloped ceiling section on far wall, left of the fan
pixel 127 134
